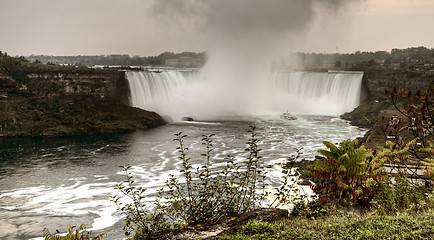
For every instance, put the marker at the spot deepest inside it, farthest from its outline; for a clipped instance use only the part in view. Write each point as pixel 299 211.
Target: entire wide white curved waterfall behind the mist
pixel 188 93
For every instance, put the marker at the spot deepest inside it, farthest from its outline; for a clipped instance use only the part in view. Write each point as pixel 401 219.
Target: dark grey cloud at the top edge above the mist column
pixel 232 16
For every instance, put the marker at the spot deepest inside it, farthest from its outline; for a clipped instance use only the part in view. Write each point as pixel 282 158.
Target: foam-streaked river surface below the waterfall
pixel 54 182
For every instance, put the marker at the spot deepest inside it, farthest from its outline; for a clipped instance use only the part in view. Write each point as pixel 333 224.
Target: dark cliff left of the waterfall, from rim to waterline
pixel 69 103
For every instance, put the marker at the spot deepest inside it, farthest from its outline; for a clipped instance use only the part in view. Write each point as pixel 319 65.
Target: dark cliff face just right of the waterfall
pixel 376 81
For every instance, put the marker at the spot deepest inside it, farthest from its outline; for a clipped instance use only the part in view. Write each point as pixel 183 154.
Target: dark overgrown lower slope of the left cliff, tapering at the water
pixel 71 115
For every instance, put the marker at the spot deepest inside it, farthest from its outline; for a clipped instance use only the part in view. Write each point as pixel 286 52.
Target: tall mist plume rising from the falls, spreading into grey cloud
pixel 244 36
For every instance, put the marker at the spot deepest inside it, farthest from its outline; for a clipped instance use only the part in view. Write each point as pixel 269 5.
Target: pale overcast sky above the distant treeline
pixel 150 27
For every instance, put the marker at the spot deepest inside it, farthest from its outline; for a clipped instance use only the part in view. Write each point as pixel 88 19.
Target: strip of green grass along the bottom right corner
pixel 404 225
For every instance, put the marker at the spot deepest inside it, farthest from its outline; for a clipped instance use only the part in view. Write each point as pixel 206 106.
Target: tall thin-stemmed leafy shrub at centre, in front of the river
pixel 209 194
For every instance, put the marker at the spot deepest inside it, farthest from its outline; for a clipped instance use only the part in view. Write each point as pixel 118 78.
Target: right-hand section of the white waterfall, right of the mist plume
pixel 323 93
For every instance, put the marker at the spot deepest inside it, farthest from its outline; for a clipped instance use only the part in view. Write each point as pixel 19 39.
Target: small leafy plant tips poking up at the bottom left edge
pixel 74 233
